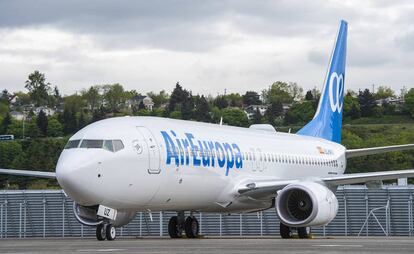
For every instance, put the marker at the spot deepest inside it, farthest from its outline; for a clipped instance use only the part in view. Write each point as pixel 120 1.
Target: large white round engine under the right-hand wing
pixel 306 204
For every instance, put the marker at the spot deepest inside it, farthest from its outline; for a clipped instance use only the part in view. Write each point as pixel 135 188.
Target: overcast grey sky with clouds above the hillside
pixel 206 45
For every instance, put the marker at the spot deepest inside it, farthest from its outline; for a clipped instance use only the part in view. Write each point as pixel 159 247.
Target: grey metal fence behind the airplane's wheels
pixel 386 211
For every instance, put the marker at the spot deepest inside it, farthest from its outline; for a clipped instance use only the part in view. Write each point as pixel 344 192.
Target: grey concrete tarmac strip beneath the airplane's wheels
pixel 210 245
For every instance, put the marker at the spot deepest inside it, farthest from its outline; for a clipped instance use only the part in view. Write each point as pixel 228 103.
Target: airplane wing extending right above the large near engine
pixel 261 189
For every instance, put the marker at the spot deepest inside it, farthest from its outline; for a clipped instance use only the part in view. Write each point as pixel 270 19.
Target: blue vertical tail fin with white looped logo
pixel 327 122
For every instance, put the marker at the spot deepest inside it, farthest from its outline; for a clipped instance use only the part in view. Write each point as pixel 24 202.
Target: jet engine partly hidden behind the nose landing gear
pixel 87 215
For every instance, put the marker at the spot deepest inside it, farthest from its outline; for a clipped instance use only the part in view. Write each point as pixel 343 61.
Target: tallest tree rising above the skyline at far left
pixel 38 88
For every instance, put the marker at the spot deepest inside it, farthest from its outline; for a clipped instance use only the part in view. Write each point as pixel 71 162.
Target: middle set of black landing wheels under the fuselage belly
pixel 179 223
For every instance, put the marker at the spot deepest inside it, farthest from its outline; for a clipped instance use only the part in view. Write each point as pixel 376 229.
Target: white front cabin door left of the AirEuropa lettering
pixel 153 150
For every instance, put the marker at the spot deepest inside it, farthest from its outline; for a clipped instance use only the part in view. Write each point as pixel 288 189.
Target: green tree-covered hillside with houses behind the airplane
pixel 42 120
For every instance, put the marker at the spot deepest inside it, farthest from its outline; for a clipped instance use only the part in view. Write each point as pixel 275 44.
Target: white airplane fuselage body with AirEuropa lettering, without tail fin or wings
pixel 164 162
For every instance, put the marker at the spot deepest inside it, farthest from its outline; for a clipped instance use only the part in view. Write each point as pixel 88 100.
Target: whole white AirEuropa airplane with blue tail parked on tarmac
pixel 117 167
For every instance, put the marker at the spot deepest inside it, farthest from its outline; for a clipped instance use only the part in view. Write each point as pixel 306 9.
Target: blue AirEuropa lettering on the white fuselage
pixel 198 153
